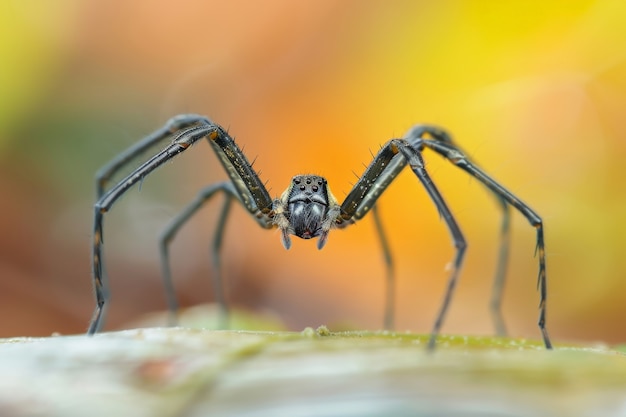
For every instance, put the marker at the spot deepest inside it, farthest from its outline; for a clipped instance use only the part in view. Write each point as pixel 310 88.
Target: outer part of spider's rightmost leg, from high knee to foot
pixel 454 155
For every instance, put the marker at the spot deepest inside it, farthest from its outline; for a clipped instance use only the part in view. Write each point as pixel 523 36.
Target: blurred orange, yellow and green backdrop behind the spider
pixel 534 91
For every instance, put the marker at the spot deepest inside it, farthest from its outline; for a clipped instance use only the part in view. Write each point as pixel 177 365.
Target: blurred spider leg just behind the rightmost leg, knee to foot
pixel 416 134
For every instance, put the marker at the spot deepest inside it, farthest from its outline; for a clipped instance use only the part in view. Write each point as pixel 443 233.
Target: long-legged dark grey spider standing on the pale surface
pixel 308 209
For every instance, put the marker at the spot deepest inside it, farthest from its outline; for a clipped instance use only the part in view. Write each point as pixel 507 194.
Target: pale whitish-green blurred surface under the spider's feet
pixel 193 372
